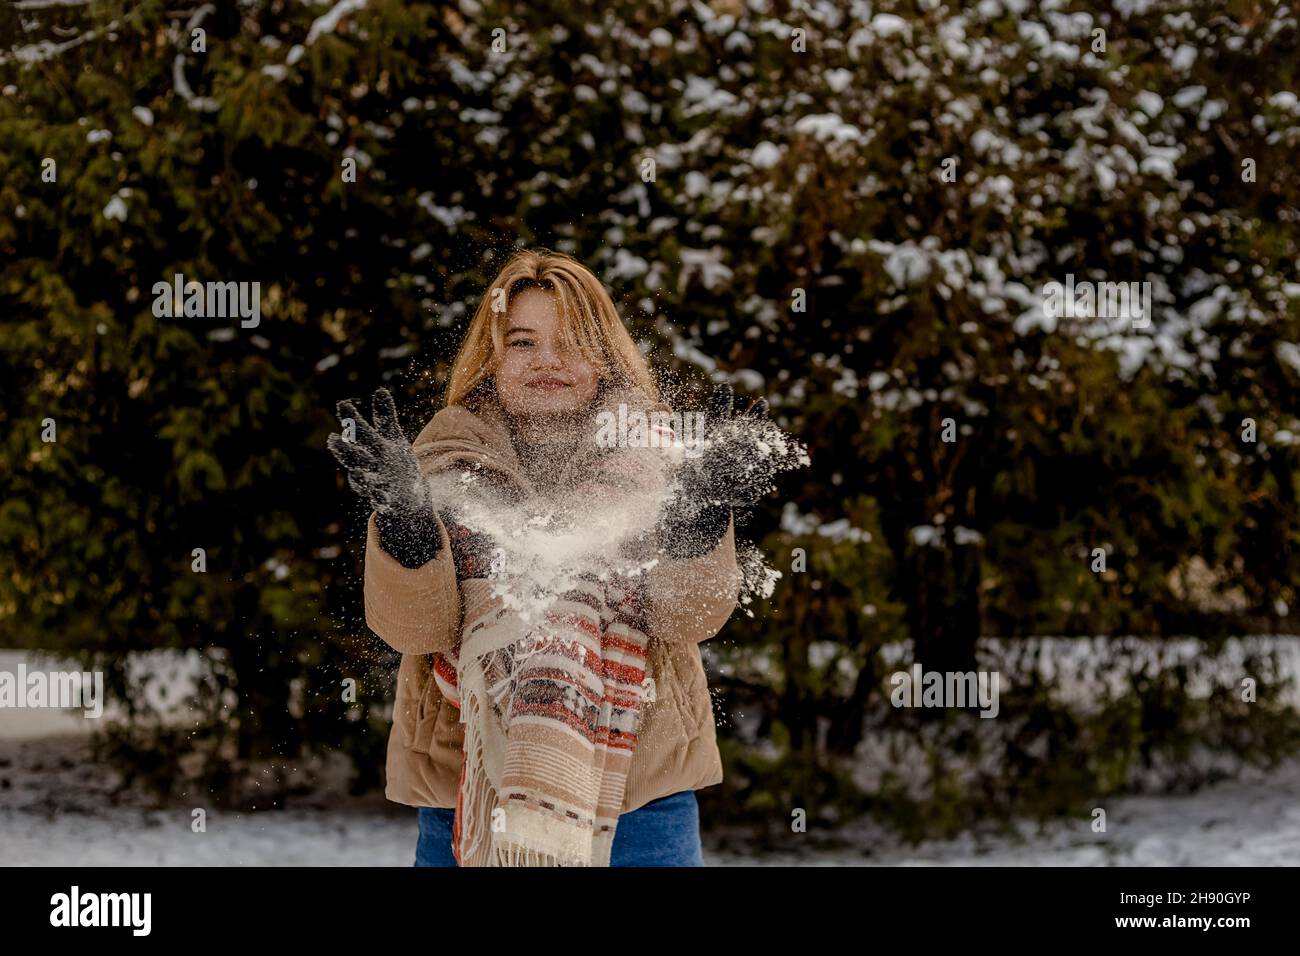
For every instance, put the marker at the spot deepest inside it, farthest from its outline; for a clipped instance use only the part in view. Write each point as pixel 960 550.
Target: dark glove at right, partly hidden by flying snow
pixel 730 473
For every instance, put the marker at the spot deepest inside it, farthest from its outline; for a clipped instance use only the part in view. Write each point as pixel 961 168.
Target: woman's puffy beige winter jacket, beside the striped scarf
pixel 418 613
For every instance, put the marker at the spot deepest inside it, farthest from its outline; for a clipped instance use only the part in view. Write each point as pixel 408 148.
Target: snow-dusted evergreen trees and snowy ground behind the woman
pixel 851 209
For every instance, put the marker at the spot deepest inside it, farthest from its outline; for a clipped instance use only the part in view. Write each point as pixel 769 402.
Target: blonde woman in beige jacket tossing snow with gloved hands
pixel 592 725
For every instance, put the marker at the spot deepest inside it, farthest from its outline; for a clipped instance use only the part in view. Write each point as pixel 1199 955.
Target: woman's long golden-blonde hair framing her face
pixel 587 321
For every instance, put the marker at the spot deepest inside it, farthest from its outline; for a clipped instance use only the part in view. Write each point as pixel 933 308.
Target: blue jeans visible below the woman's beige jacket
pixel 664 833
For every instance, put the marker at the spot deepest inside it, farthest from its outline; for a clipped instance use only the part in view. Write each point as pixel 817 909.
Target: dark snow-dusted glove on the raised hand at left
pixel 383 469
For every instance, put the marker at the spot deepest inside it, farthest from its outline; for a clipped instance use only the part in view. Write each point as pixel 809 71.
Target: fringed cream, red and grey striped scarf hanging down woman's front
pixel 552 712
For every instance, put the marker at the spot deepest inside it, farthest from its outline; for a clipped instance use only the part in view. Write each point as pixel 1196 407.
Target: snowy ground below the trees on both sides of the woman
pixel 58 807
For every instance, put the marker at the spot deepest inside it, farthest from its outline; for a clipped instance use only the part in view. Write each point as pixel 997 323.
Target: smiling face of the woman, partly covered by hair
pixel 538 375
